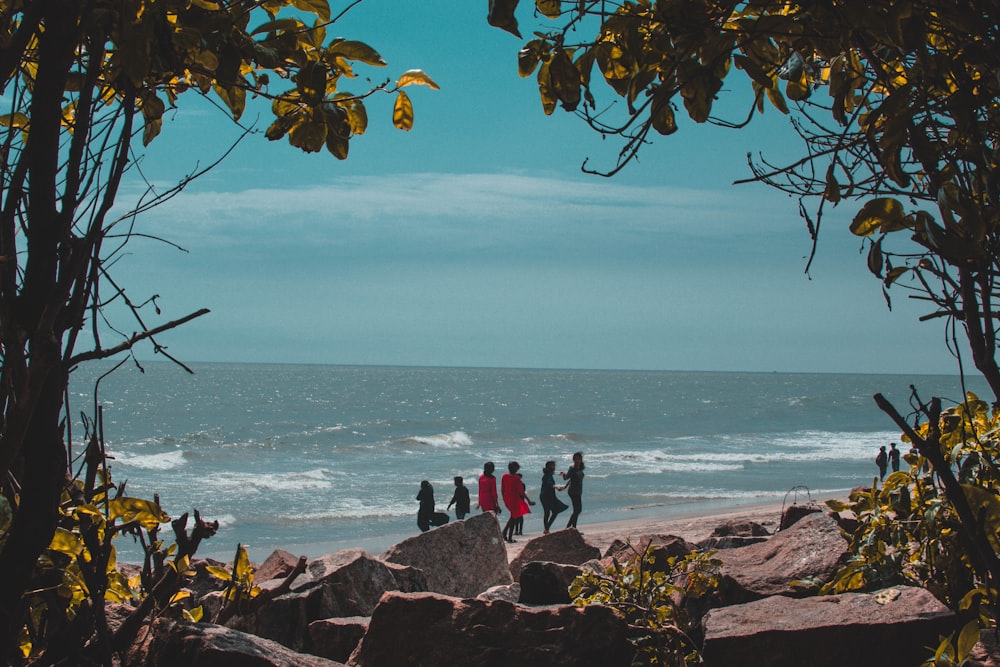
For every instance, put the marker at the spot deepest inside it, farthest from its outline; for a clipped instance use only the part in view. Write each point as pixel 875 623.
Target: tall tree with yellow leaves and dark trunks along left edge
pixel 85 85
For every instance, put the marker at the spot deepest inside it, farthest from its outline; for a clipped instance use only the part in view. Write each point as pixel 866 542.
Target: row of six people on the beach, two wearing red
pixel 514 495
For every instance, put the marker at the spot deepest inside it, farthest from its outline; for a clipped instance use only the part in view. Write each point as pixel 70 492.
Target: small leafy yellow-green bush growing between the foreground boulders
pixel 651 599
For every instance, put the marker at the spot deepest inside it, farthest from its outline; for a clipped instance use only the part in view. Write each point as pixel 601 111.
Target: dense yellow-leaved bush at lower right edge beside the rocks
pixel 911 532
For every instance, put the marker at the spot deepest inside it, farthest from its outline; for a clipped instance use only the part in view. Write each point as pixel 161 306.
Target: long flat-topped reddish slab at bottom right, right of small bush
pixel 891 627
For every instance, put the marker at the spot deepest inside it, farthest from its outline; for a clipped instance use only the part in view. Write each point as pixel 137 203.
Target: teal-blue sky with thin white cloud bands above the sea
pixel 476 240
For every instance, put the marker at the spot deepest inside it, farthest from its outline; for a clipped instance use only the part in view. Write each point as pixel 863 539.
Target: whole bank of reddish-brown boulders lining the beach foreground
pixel 460 594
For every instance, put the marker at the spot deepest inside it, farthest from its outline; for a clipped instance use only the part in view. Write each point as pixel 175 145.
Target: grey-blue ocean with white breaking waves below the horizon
pixel 313 459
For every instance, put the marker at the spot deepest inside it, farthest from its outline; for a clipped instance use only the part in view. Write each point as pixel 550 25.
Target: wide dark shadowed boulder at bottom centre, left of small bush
pixel 432 629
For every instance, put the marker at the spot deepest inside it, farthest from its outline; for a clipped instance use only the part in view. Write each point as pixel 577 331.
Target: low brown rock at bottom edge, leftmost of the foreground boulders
pixel 167 643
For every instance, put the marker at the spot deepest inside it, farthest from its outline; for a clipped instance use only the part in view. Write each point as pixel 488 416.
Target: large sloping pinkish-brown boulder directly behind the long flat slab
pixel 811 549
